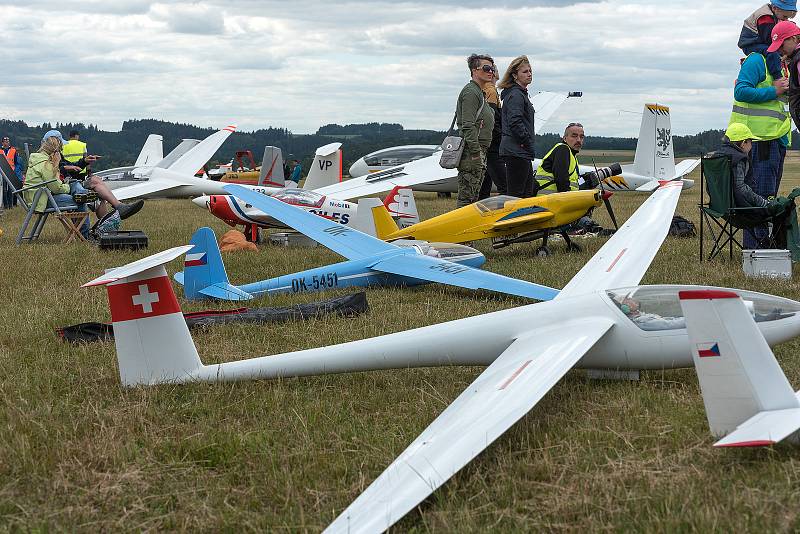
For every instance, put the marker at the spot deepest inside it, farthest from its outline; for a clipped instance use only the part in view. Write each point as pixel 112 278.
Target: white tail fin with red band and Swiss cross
pixel 152 339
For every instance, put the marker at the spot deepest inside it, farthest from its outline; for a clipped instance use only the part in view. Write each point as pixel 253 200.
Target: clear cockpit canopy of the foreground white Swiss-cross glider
pixel 658 307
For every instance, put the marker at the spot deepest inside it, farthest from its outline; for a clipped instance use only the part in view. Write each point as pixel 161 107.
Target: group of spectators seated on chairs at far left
pixel 64 166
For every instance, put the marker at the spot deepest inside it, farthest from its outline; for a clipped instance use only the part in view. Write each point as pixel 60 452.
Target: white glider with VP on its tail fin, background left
pixel 178 181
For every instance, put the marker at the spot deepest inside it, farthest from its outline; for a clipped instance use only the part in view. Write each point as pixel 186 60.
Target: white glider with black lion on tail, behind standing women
pixel 654 161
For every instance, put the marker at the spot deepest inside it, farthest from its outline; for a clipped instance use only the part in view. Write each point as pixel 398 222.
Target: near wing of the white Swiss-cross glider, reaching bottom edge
pixel 507 390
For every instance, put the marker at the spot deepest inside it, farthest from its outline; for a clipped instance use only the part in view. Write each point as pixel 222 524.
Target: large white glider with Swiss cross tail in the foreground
pixel 527 350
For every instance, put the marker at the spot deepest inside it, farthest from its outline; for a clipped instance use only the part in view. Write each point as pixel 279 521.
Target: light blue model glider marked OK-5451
pixel 370 261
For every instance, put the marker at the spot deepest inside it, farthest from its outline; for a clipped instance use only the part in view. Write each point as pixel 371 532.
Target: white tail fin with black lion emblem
pixel 655 156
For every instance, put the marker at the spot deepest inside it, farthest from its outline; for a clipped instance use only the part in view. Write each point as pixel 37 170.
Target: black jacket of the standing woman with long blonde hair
pixel 517 118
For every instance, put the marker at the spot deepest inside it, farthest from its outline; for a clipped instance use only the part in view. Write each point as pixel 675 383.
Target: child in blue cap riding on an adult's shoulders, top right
pixel 756 35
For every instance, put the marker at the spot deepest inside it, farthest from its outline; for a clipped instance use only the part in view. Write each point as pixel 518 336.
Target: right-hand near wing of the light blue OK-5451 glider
pixel 454 274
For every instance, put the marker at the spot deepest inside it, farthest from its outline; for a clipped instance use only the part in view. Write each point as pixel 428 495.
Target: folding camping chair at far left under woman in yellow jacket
pixel 69 216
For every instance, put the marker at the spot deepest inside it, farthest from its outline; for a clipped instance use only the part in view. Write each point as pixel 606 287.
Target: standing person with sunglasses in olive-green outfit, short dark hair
pixel 475 124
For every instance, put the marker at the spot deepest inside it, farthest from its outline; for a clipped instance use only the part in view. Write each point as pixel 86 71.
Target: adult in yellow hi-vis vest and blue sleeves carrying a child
pixel 758 106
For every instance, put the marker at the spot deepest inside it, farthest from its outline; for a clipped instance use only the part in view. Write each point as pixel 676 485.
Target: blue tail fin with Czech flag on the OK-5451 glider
pixel 204 272
